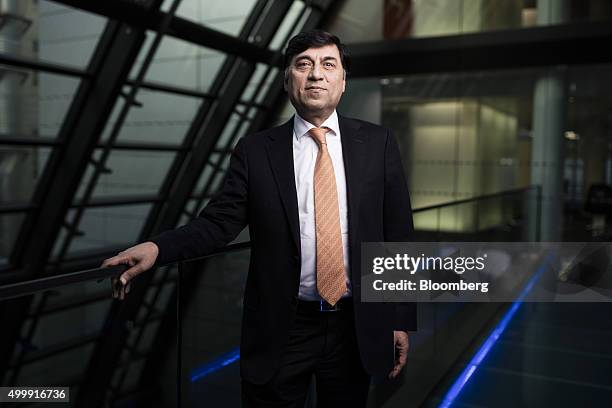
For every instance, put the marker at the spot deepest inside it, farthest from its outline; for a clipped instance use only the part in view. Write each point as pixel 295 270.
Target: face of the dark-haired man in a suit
pixel 315 81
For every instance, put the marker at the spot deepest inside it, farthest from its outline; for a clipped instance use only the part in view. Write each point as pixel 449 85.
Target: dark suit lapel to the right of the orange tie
pixel 353 153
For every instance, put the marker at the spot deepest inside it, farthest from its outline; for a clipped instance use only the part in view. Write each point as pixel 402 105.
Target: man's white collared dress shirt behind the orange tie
pixel 305 152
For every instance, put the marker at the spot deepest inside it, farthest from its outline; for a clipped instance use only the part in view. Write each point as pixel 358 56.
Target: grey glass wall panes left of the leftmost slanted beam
pixel 34 104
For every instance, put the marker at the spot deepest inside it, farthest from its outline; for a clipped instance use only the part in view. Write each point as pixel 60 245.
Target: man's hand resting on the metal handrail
pixel 140 257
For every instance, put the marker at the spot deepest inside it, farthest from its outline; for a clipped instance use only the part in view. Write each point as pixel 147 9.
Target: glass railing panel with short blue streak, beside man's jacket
pixel 211 295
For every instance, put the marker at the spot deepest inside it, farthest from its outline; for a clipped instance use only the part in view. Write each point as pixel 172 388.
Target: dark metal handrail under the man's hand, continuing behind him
pixel 30 287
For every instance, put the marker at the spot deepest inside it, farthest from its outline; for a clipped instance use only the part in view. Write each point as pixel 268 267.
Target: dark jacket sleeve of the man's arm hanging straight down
pixel 397 221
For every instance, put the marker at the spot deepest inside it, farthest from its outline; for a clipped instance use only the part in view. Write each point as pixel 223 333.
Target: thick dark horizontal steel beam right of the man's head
pixel 568 44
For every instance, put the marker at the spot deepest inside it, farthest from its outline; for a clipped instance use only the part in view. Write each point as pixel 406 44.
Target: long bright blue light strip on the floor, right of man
pixel 486 346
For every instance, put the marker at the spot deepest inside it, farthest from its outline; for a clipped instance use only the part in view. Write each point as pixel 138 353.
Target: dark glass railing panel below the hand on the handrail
pixel 77 336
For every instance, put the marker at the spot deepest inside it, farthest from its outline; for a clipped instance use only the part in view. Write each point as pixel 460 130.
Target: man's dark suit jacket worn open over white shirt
pixel 259 191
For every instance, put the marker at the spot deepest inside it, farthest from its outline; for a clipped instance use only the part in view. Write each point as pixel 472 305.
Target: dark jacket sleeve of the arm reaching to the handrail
pixel 218 223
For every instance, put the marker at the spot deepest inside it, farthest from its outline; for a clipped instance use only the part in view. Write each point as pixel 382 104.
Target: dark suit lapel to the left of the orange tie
pixel 280 154
